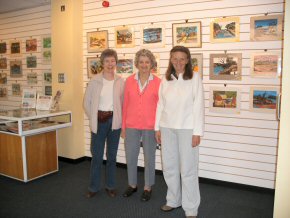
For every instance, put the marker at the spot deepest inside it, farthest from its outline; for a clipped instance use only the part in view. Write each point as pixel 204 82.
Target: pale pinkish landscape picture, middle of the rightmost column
pixel 267 64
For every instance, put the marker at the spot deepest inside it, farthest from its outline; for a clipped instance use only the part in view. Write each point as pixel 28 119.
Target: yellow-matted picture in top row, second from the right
pixel 225 30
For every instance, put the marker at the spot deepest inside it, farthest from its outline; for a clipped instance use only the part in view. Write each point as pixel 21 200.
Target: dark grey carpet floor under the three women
pixel 62 194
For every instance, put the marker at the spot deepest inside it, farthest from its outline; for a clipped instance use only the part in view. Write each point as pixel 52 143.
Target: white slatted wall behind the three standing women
pixel 238 147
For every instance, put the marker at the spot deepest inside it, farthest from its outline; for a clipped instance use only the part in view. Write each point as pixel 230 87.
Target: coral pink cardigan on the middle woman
pixel 139 108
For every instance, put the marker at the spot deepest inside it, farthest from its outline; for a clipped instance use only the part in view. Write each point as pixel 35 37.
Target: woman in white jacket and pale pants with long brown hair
pixel 179 125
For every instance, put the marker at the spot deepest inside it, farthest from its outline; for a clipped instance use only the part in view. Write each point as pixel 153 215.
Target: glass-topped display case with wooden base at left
pixel 28 142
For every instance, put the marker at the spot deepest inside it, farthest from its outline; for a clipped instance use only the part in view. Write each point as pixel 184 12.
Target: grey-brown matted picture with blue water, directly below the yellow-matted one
pixel 225 66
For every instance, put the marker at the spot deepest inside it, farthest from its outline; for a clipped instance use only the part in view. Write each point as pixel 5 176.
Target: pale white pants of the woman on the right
pixel 180 169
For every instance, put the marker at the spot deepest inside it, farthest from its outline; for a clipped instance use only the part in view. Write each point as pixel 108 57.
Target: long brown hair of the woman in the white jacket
pixel 188 67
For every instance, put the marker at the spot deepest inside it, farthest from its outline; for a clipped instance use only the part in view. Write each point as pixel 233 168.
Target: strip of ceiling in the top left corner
pixel 14 5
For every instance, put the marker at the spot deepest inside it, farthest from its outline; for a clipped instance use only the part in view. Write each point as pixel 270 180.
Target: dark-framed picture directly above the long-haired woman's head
pixel 187 34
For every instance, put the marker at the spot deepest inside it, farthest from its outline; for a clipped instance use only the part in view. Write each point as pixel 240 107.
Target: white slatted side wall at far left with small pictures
pixel 23 26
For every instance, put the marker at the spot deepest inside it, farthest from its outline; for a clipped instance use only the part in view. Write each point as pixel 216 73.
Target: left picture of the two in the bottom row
pixel 224 100
